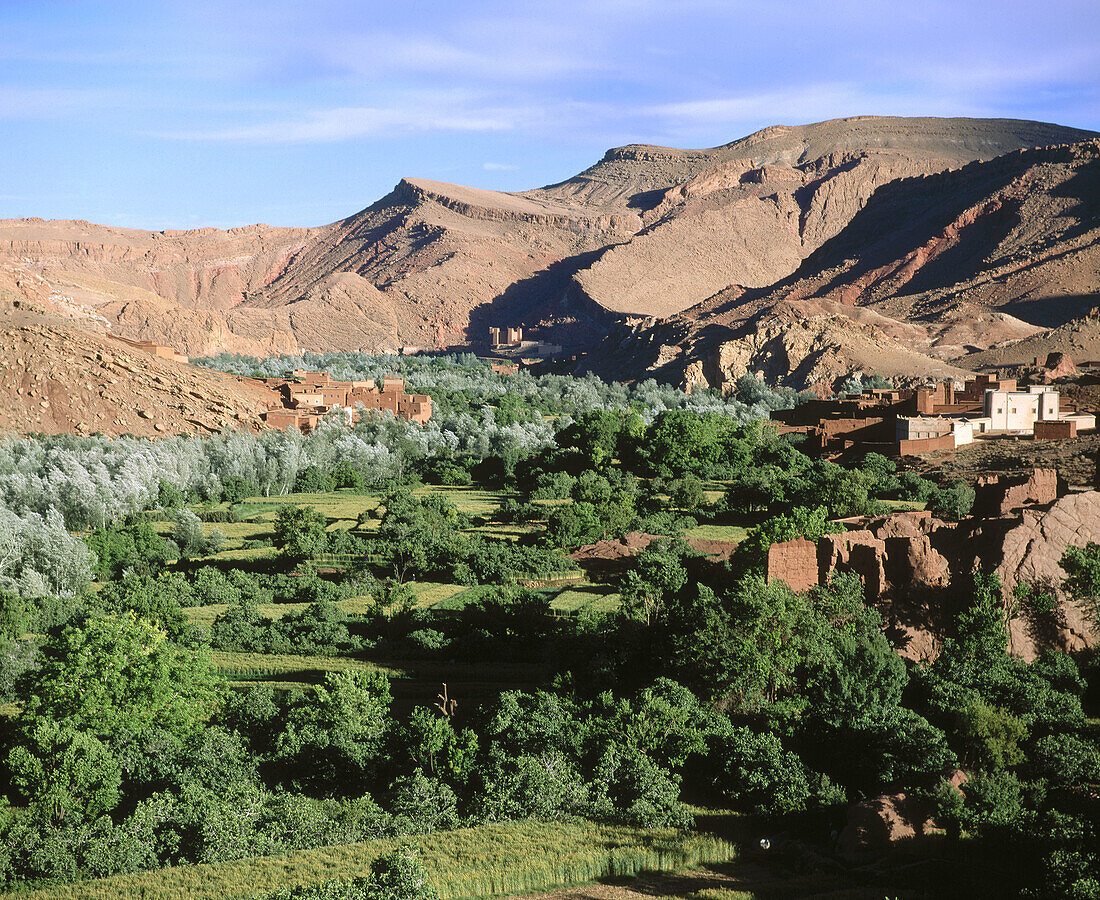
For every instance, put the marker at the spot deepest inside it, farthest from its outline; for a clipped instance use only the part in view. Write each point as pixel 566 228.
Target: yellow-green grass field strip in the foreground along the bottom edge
pixel 488 861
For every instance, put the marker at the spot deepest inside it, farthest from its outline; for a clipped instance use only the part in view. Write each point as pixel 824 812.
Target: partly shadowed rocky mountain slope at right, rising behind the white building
pixel 972 266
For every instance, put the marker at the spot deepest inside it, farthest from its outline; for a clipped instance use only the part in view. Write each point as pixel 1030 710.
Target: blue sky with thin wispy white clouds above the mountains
pixel 214 113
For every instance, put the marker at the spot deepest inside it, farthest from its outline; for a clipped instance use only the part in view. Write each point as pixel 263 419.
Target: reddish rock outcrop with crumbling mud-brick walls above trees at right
pixel 906 561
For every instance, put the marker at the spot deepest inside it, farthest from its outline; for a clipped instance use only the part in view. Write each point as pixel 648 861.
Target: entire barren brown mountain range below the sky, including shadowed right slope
pixel 708 239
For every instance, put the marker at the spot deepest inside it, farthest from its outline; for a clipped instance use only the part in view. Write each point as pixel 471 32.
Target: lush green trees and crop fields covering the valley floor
pixel 362 663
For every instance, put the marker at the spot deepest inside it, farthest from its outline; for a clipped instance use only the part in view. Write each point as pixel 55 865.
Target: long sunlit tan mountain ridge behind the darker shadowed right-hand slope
pixel 647 232
